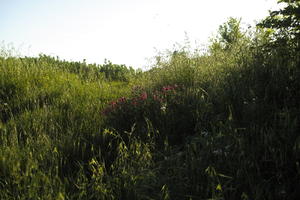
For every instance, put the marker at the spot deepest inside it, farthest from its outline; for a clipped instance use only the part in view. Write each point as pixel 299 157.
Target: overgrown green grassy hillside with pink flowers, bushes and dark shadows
pixel 218 125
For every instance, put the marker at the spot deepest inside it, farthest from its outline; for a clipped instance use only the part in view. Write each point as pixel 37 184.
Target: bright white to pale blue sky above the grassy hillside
pixel 123 31
